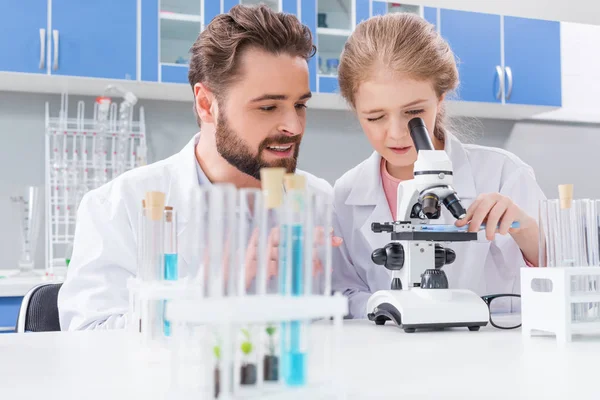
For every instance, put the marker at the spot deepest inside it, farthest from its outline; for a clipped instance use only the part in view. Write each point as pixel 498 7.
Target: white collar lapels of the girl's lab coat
pixel 369 187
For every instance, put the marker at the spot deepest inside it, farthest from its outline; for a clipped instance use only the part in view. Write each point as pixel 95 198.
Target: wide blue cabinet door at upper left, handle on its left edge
pixel 94 38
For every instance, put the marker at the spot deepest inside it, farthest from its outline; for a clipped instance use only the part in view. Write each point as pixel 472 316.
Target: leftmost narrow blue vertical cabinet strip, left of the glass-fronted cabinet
pixel 150 61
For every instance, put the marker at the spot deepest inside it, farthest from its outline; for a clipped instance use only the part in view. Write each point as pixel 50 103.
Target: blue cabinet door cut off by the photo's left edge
pixel 23 43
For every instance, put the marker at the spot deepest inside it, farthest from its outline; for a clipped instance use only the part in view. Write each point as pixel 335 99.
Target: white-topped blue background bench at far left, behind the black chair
pixel 12 291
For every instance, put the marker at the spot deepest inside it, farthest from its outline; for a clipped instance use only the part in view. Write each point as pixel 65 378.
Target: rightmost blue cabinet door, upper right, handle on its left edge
pixel 532 61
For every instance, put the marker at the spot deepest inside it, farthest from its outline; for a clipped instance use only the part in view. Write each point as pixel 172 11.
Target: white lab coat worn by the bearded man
pixel 95 295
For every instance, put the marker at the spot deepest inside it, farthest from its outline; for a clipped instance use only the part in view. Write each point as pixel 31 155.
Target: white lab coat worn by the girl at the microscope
pixel 481 266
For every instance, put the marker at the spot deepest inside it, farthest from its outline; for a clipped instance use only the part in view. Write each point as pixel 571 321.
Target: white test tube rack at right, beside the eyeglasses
pixel 553 300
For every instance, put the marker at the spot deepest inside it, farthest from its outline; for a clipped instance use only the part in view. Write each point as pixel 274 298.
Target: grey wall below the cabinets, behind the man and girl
pixel 332 145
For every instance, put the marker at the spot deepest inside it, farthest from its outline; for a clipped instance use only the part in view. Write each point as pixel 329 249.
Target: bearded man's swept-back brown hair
pixel 215 54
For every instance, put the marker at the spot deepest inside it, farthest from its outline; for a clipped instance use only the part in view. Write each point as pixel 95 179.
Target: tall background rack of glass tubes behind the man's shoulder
pixel 72 146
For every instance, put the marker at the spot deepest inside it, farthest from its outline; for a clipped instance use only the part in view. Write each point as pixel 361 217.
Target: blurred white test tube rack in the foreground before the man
pixel 194 316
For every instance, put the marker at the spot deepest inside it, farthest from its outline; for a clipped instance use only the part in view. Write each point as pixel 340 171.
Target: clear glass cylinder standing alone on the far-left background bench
pixel 29 206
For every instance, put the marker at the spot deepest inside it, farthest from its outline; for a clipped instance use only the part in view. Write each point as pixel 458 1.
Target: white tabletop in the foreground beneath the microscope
pixel 382 362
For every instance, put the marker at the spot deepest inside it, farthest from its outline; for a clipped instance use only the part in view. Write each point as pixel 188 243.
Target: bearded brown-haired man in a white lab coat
pixel 249 74
